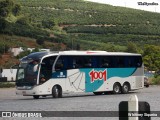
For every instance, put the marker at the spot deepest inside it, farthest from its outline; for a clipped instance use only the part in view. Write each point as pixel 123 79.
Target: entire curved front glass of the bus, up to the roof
pixel 27 72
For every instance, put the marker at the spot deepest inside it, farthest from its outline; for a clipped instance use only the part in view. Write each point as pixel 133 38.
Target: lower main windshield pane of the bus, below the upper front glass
pixel 27 73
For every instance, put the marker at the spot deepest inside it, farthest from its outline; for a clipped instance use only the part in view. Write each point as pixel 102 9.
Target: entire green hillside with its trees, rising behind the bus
pixel 83 25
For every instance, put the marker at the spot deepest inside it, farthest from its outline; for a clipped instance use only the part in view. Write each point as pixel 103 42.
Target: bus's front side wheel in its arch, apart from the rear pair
pixel 57 91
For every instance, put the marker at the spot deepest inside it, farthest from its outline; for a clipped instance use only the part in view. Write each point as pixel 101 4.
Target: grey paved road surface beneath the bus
pixel 77 102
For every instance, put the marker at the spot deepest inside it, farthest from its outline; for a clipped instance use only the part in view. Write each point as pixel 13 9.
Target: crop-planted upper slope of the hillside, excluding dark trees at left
pixel 91 21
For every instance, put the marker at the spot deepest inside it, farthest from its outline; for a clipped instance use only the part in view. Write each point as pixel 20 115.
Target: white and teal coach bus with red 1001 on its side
pixel 55 73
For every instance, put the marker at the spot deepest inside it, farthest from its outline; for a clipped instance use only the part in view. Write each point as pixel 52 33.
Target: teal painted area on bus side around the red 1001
pixel 91 86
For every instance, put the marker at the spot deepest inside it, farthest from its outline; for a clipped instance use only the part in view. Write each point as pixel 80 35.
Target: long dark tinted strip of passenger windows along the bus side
pixel 76 62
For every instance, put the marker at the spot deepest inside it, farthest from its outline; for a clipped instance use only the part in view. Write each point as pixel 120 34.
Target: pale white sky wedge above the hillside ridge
pixel 132 4
